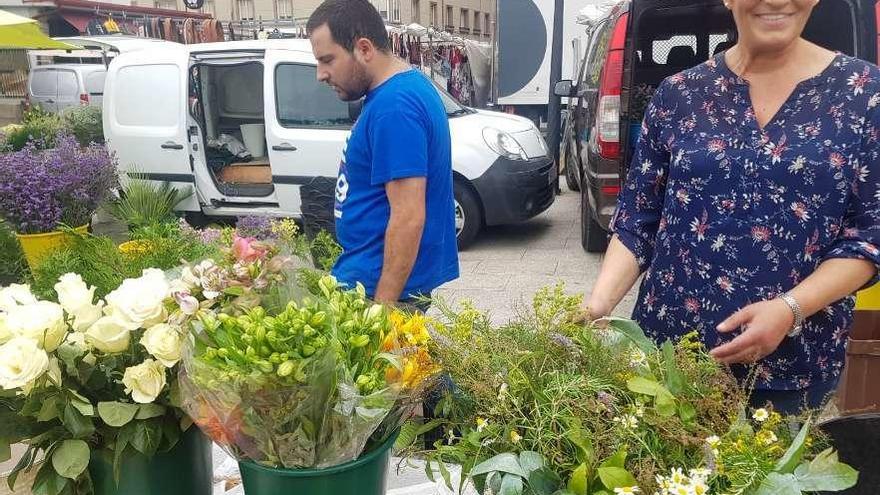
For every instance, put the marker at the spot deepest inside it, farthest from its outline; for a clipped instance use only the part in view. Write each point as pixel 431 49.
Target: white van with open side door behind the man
pixel 166 110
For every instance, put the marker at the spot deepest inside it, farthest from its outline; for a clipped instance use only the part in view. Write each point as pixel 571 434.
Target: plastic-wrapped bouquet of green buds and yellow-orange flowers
pixel 309 385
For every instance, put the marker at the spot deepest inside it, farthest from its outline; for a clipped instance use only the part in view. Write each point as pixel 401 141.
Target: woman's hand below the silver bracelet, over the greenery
pixel 765 325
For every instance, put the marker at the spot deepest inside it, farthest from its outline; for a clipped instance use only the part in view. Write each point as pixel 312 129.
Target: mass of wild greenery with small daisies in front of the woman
pixel 543 406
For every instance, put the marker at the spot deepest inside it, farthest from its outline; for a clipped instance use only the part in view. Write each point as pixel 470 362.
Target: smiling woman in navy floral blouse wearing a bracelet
pixel 753 200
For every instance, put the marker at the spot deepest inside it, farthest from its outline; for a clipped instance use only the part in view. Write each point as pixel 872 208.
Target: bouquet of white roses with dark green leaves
pixel 78 375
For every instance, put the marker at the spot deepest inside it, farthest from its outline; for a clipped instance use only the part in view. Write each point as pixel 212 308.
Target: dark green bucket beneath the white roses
pixel 187 469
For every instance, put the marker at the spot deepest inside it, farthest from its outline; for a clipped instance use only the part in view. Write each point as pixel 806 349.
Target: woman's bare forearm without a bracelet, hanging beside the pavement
pixel 618 274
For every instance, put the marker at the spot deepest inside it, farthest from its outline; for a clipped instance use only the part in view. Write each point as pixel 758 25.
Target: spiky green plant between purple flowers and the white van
pixel 143 203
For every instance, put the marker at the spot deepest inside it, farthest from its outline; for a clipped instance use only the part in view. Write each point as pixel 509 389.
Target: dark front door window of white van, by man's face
pixel 302 101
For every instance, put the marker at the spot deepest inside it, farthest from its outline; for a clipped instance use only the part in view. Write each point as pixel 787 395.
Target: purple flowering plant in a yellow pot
pixel 43 190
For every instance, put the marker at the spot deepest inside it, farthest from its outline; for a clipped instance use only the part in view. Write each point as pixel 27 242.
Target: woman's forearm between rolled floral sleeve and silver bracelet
pixel 833 280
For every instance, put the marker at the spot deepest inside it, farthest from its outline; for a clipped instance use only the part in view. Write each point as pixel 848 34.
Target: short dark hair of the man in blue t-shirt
pixel 350 20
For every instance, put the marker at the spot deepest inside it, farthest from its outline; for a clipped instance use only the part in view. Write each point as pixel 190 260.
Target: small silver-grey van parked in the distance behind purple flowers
pixel 57 87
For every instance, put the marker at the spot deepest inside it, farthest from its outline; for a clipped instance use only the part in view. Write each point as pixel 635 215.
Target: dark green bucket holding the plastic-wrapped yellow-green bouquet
pixel 366 475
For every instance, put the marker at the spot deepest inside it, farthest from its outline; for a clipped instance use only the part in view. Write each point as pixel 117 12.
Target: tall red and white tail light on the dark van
pixel 610 85
